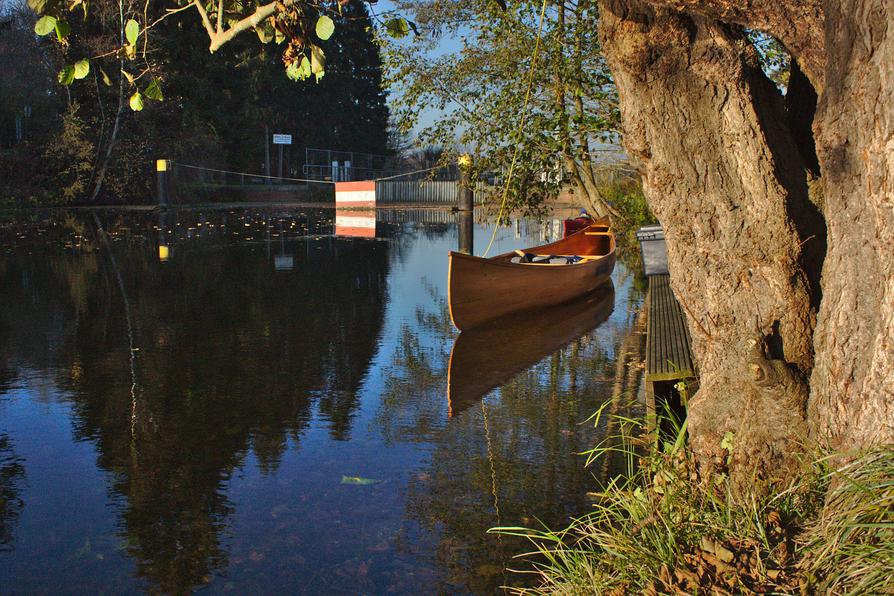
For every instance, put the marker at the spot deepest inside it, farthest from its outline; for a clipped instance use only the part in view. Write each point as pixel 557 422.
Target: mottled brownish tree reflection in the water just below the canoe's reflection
pixel 510 459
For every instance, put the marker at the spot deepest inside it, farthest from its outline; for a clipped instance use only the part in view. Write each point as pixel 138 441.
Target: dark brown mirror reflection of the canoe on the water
pixel 487 356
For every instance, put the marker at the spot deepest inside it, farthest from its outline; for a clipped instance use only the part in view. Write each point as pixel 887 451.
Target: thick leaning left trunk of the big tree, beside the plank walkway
pixel 727 181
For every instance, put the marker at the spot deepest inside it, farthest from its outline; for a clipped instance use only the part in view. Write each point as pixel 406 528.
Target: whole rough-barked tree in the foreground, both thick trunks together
pixel 725 169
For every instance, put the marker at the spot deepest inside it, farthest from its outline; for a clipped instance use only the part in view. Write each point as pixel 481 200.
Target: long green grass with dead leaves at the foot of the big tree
pixel 662 528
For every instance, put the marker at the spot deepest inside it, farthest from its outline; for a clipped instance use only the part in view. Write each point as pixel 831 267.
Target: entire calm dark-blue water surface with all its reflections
pixel 244 402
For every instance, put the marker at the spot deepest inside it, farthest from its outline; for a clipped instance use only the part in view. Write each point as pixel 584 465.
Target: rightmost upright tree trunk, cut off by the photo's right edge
pixel 852 388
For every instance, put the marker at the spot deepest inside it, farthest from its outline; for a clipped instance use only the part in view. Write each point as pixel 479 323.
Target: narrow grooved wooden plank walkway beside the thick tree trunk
pixel 668 352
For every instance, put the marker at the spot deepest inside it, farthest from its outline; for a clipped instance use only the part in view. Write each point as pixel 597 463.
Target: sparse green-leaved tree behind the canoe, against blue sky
pixel 481 87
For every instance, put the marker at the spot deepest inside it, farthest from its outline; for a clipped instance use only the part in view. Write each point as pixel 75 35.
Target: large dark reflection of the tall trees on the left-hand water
pixel 233 358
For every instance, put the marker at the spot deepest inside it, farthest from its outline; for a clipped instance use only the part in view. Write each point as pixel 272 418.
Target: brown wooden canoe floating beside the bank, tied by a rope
pixel 481 290
